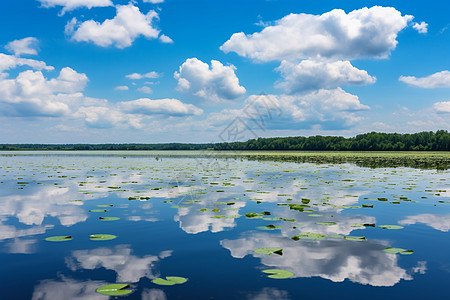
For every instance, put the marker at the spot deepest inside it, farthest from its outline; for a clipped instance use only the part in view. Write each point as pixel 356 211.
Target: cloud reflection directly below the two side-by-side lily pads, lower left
pixel 129 268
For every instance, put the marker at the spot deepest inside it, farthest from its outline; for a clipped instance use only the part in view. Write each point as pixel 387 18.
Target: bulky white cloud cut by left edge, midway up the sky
pixel 31 94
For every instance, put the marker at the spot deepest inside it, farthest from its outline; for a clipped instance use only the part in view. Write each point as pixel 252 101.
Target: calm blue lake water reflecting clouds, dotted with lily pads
pixel 186 217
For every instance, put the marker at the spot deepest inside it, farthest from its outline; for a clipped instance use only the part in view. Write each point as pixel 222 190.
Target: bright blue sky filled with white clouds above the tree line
pixel 158 71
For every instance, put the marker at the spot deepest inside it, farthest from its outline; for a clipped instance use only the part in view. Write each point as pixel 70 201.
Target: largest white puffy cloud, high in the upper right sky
pixel 367 32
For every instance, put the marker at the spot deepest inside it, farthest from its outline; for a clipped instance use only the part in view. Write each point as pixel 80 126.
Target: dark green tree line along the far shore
pixel 373 141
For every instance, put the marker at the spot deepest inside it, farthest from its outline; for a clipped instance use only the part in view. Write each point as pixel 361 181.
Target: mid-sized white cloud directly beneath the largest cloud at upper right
pixel 317 74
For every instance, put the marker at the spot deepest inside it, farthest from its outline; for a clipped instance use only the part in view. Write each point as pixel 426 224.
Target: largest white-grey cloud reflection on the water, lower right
pixel 333 259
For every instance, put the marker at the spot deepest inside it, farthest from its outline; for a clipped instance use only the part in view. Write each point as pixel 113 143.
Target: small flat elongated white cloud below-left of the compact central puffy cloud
pixel 171 107
